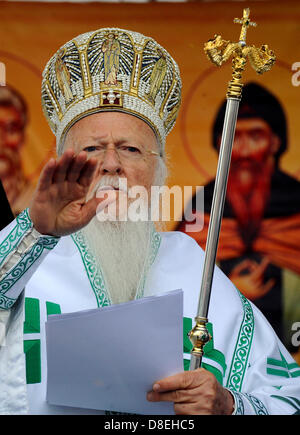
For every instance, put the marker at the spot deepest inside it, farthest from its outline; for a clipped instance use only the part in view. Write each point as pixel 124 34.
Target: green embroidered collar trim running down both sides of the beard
pixel 95 274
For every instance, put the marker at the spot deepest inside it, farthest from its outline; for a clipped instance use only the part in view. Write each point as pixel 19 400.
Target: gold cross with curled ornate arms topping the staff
pixel 220 50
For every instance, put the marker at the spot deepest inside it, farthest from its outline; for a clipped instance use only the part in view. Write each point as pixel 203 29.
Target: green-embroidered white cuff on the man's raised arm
pixel 22 249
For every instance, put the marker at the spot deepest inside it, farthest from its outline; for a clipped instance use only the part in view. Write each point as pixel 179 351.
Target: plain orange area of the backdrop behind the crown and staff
pixel 31 32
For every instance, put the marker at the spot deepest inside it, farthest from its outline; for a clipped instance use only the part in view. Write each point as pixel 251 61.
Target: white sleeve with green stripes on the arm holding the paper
pixel 271 383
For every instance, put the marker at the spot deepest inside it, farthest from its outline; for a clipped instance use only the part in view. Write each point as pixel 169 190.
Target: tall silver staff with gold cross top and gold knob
pixel 262 59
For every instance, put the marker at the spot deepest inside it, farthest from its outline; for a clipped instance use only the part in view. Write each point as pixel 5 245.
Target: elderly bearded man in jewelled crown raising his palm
pixel 69 261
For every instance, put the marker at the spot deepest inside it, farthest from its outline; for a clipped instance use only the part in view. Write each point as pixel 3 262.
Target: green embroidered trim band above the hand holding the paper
pixel 242 348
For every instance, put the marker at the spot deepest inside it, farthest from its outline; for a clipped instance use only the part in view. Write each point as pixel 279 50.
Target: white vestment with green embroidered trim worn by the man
pixel 60 275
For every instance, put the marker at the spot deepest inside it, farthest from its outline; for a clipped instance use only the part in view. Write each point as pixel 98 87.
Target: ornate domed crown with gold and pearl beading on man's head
pixel 111 70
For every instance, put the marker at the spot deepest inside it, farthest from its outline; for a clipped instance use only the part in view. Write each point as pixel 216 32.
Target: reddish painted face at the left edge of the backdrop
pixel 11 138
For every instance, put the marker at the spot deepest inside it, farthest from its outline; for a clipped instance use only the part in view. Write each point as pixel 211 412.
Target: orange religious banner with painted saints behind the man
pixel 260 233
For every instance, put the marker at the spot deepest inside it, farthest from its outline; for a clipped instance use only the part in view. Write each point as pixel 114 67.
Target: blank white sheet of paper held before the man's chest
pixel 109 358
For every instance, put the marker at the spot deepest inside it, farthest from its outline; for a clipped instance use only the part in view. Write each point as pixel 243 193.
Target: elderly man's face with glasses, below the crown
pixel 124 145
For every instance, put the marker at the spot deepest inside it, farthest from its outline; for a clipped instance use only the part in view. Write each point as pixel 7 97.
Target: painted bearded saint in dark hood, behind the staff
pixel 260 233
